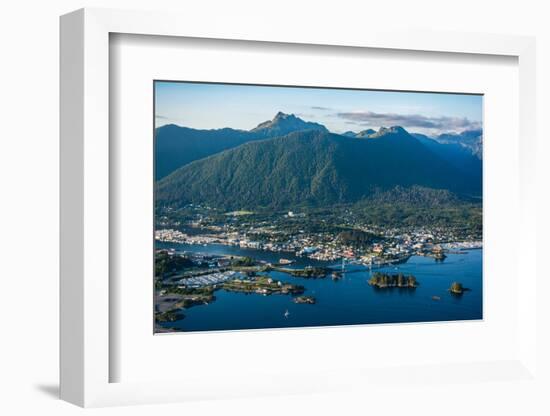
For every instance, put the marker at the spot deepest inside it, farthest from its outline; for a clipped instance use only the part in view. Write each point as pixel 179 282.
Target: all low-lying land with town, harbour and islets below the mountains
pixel 186 278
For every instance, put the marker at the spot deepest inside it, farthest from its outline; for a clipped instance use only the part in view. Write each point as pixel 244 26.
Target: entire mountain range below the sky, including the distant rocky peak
pixel 287 162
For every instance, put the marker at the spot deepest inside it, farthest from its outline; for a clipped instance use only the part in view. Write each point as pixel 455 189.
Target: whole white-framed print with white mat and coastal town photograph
pixel 289 212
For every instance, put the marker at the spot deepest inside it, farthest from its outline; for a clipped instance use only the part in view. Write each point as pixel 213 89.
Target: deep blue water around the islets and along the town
pixel 345 302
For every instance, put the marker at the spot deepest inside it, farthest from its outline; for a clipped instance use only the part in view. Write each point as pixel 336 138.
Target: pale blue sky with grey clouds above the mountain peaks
pixel 211 106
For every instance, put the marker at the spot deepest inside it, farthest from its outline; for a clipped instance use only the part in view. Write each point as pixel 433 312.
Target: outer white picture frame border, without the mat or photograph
pixel 85 204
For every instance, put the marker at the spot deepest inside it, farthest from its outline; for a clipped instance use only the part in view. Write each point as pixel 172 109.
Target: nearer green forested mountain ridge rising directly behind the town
pixel 311 168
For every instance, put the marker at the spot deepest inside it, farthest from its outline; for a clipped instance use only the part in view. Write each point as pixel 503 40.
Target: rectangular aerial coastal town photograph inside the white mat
pixel 290 206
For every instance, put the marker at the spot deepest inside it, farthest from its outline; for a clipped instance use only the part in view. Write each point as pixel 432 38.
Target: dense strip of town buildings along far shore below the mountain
pixel 362 243
